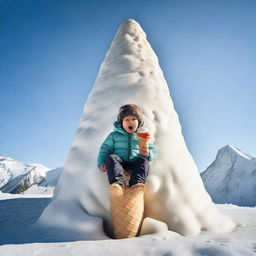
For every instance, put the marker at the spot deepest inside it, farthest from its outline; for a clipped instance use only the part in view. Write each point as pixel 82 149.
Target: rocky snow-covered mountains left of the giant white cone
pixel 18 177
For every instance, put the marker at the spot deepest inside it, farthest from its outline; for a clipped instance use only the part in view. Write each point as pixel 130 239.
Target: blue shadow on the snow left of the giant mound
pixel 17 223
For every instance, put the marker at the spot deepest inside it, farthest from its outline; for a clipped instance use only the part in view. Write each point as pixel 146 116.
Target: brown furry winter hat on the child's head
pixel 130 110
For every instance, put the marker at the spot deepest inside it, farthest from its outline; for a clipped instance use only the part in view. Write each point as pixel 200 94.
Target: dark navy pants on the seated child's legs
pixel 116 166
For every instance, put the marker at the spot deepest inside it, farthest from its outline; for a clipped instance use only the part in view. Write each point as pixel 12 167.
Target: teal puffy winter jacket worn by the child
pixel 123 144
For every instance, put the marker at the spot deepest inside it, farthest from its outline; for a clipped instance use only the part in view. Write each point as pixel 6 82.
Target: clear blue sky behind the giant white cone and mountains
pixel 50 53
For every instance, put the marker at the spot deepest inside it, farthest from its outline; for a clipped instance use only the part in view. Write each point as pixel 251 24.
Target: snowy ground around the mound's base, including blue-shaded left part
pixel 18 212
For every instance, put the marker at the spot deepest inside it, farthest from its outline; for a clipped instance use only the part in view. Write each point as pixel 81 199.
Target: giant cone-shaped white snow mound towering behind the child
pixel 175 192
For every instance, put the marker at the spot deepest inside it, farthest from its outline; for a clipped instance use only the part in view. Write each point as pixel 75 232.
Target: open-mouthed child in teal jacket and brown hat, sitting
pixel 121 151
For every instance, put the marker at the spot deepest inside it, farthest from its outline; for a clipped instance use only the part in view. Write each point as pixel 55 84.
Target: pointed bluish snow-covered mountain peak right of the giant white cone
pixel 231 178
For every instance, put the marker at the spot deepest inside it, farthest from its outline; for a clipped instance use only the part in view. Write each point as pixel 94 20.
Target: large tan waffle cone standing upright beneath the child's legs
pixel 127 208
